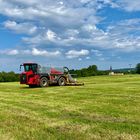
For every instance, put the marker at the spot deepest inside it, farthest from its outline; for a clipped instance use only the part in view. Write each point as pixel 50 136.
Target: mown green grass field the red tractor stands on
pixel 106 108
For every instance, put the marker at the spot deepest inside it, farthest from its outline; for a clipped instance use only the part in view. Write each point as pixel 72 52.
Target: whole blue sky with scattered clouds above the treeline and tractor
pixel 69 33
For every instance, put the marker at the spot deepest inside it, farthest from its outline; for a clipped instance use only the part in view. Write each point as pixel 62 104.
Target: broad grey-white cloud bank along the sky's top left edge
pixel 49 11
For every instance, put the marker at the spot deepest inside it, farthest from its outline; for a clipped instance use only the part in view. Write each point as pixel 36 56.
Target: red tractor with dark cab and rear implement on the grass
pixel 35 75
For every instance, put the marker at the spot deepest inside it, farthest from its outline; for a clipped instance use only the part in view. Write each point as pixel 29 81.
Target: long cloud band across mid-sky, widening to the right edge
pixel 119 36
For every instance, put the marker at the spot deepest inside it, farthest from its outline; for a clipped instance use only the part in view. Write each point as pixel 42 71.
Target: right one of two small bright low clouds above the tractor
pixel 74 54
